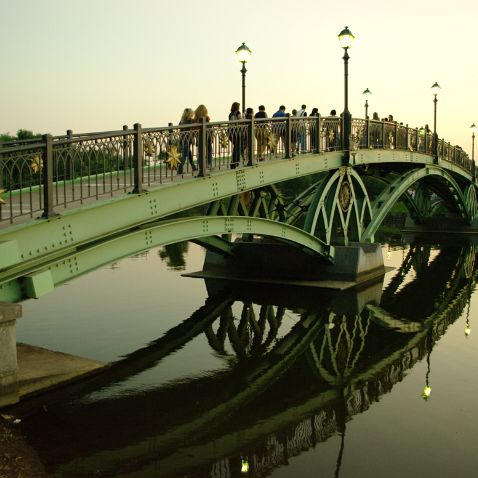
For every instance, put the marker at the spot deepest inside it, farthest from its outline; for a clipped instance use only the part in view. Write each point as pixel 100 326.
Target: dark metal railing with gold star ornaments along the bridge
pixel 41 175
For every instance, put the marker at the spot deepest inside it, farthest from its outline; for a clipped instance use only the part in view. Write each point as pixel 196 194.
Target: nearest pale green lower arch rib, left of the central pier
pixel 98 253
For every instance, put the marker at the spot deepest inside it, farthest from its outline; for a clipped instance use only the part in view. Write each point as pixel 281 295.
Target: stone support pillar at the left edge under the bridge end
pixel 9 313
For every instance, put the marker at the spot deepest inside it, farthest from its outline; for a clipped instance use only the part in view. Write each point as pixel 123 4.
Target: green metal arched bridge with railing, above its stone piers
pixel 72 203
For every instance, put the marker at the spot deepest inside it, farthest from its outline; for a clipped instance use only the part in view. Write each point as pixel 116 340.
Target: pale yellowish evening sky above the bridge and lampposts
pixel 94 65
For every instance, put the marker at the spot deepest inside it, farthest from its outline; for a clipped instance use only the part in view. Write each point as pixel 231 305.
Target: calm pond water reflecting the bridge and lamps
pixel 228 380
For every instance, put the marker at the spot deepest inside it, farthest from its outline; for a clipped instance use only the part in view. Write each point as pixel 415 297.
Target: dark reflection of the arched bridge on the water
pixel 258 409
